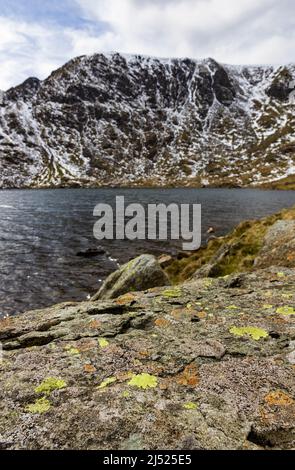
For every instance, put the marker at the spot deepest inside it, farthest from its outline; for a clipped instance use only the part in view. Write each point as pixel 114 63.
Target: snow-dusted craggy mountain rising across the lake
pixel 128 120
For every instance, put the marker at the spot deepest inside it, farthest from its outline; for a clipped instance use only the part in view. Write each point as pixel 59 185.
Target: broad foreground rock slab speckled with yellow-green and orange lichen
pixel 206 365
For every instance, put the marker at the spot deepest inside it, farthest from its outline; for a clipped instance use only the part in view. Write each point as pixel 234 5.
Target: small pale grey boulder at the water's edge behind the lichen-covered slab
pixel 141 273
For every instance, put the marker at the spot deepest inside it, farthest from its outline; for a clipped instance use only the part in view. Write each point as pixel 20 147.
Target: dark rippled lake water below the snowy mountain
pixel 42 231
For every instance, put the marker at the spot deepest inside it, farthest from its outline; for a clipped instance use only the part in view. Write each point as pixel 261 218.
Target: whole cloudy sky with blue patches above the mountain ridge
pixel 37 36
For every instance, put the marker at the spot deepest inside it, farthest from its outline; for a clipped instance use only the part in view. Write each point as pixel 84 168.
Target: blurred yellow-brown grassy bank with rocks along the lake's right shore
pixel 251 245
